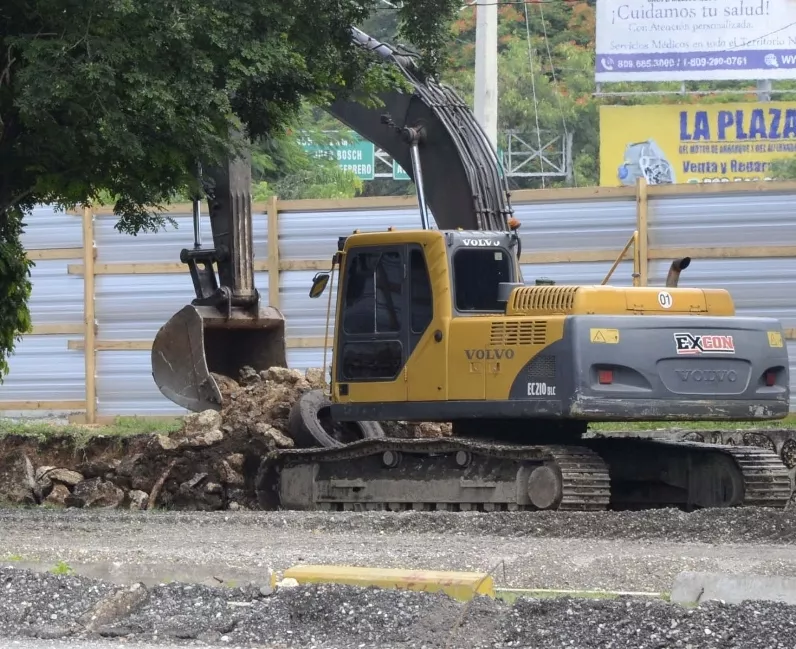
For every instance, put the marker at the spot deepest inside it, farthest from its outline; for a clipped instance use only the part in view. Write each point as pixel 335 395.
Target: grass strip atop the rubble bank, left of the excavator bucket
pixel 121 427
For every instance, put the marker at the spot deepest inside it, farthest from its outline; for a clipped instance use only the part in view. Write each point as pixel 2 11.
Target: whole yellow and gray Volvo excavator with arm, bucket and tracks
pixel 437 324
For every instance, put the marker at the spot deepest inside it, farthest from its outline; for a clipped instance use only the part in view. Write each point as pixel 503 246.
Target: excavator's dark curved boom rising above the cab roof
pixel 460 169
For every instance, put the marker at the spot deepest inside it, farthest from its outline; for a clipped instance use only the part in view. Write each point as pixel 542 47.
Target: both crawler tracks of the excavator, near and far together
pixel 467 475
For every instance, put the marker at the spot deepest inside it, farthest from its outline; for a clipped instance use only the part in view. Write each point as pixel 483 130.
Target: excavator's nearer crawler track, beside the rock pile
pixel 435 474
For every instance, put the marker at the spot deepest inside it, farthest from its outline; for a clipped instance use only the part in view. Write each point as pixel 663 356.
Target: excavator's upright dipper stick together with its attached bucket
pixel 226 327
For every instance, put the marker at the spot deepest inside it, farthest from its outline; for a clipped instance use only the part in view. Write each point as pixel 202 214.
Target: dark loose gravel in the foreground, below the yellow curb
pixel 347 617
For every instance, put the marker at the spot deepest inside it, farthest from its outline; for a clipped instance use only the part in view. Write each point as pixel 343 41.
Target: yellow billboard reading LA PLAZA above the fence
pixel 668 144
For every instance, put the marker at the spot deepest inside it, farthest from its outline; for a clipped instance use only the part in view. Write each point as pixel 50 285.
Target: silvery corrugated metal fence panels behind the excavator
pixel 131 307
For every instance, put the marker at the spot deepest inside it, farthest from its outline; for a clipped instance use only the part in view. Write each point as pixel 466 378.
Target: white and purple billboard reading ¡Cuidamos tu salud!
pixel 698 40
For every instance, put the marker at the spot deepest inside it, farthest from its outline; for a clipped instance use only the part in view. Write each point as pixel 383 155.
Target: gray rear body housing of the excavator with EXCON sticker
pixel 659 371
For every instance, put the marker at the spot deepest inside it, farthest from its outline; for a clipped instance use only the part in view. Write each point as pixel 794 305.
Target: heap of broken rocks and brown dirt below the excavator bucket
pixel 210 463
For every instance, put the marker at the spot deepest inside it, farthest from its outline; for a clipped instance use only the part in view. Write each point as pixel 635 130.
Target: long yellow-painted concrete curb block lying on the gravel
pixel 459 585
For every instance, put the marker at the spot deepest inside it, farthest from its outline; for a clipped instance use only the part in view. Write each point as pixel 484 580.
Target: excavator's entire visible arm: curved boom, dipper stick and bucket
pixel 430 132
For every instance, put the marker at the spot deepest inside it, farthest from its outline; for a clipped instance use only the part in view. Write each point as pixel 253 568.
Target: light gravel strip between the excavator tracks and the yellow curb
pixel 616 551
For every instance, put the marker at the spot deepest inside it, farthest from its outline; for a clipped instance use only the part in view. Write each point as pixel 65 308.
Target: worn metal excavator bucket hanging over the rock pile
pixel 199 341
